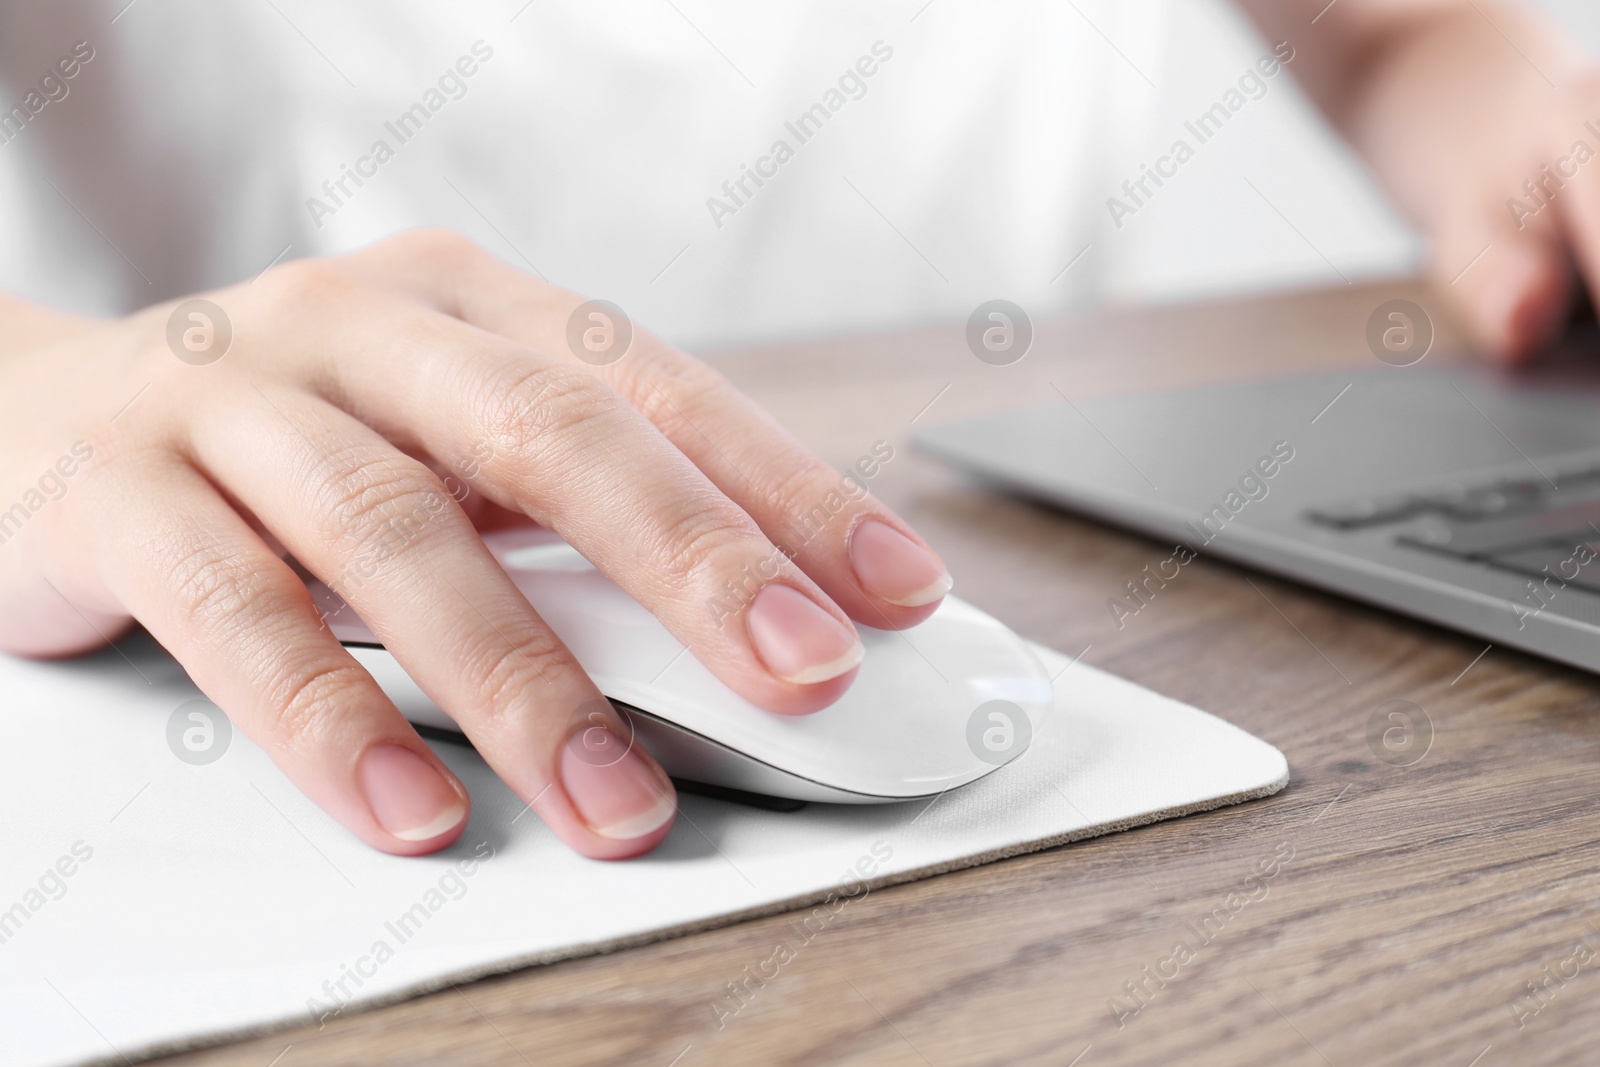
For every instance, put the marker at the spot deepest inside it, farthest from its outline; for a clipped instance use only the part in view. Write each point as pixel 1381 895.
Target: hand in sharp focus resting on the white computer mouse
pixel 167 490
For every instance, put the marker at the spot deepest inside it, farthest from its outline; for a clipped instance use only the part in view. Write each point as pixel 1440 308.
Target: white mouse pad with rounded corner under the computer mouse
pixel 159 895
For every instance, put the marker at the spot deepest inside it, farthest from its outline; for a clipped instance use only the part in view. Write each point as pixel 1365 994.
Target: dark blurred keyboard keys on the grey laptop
pixel 1522 526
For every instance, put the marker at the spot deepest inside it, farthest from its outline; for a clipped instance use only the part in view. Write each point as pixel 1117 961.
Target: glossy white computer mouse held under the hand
pixel 934 708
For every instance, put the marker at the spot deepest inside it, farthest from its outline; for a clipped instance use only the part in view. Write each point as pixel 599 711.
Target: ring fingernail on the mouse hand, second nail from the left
pixel 615 788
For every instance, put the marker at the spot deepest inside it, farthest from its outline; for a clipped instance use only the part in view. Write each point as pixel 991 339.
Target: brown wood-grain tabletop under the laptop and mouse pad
pixel 1417 909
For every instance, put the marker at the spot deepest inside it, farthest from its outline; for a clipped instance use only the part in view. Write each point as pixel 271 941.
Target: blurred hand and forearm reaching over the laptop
pixel 1484 122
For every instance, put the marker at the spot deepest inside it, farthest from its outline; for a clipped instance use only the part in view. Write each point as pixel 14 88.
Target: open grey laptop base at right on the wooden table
pixel 1460 495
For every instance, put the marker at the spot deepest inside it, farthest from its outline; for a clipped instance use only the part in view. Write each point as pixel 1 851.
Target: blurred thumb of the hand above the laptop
pixel 1516 294
